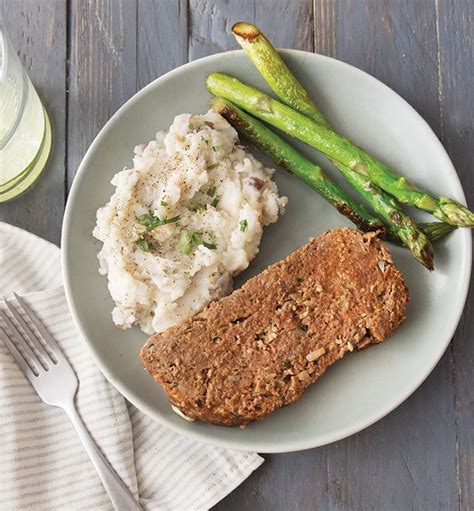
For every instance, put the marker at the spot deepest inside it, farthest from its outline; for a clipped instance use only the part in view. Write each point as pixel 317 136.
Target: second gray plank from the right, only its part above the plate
pixel 394 41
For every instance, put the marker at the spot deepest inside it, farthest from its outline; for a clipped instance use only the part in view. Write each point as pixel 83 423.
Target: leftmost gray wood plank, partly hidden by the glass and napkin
pixel 38 32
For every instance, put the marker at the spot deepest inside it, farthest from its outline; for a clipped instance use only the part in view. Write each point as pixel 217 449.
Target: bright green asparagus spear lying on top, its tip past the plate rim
pixel 336 147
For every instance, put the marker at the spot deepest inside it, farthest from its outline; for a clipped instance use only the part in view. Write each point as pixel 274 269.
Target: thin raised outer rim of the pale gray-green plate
pixel 197 434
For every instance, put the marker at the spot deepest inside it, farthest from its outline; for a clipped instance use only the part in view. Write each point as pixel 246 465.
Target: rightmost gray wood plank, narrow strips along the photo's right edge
pixel 456 56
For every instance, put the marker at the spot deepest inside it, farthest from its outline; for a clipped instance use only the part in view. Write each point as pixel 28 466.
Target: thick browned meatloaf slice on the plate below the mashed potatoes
pixel 258 349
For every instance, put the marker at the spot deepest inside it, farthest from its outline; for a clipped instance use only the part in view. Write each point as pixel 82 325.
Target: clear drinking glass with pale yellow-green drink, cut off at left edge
pixel 25 131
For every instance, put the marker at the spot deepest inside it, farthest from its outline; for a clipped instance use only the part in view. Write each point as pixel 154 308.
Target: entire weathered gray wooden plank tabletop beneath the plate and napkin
pixel 87 58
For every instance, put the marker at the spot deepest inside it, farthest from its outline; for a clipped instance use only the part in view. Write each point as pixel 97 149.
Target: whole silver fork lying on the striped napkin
pixel 54 380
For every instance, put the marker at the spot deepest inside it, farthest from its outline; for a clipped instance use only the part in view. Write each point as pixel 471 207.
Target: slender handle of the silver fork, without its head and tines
pixel 119 494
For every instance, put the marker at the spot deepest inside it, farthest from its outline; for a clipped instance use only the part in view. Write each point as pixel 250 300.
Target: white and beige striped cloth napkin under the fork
pixel 43 465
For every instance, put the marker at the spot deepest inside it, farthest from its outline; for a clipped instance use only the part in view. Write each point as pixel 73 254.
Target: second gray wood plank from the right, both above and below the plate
pixel 407 460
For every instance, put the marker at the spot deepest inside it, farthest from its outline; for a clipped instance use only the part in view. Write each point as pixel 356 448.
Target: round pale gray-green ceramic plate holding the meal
pixel 363 387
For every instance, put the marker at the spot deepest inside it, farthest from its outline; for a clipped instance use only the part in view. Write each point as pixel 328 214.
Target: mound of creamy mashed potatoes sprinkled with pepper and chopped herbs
pixel 182 222
